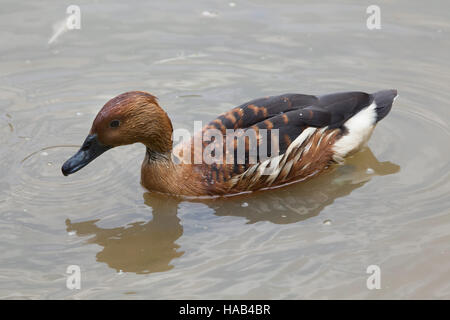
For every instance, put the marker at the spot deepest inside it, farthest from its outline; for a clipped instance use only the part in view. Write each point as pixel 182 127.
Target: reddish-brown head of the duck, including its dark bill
pixel 128 118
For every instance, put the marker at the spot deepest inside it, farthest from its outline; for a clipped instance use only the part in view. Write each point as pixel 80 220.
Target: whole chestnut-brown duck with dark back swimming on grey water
pixel 275 140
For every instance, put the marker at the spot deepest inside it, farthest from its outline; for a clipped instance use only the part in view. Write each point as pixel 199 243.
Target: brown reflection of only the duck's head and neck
pixel 140 247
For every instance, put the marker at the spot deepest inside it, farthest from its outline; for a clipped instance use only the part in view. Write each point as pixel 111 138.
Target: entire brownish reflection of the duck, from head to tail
pixel 150 246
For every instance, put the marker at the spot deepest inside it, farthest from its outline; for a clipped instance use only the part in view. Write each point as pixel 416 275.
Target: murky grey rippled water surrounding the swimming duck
pixel 388 206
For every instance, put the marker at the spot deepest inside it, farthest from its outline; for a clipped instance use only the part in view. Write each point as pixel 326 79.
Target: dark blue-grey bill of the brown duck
pixel 90 150
